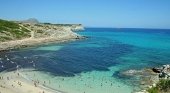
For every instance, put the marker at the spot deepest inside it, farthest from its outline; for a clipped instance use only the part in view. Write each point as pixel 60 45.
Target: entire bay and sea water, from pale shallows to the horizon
pixel 93 65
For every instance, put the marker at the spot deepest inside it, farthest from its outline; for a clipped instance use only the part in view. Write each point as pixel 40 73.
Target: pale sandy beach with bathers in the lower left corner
pixel 16 82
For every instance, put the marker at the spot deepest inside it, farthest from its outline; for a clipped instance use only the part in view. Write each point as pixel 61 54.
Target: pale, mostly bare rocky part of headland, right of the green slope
pixel 51 30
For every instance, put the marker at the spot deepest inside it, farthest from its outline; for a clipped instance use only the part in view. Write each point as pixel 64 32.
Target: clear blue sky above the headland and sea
pixel 91 13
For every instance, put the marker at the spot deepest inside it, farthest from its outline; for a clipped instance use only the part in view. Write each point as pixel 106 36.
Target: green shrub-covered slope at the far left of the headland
pixel 10 31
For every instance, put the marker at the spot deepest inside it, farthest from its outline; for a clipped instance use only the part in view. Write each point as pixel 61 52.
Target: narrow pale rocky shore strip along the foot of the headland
pixel 31 42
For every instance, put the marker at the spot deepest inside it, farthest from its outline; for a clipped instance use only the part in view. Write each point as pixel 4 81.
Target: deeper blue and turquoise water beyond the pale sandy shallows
pixel 105 47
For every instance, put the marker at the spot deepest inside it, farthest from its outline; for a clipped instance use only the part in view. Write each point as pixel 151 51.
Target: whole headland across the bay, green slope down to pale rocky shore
pixel 23 34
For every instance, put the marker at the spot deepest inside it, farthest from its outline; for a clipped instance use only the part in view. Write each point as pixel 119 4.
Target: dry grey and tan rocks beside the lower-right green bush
pixel 155 75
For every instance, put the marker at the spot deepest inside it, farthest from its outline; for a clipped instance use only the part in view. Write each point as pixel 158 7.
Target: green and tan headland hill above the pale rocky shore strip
pixel 10 30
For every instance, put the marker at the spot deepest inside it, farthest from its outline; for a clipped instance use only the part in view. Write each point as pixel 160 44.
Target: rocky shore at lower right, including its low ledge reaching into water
pixel 150 78
